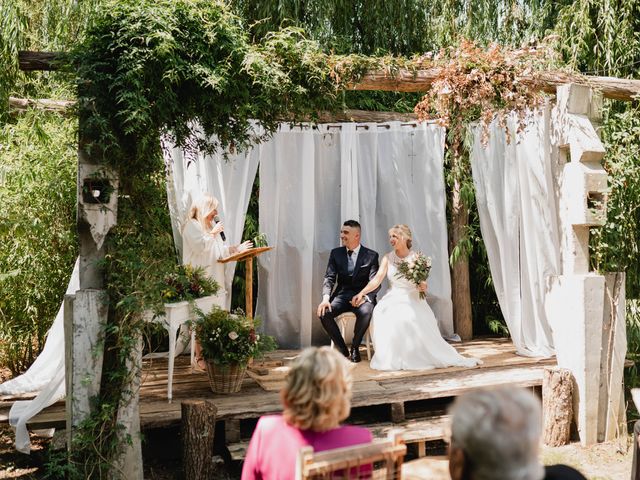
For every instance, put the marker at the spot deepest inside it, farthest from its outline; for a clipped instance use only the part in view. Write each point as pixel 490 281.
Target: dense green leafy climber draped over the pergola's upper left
pixel 169 63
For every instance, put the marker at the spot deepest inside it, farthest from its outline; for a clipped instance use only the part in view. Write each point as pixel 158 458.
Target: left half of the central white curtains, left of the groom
pixel 300 214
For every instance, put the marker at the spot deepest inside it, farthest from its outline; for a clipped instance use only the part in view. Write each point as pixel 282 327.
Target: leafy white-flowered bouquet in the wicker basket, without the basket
pixel 230 338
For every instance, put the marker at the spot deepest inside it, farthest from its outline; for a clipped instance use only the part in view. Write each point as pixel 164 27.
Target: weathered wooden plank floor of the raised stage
pixel 253 401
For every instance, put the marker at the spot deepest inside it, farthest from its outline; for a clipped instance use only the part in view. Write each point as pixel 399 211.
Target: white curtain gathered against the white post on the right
pixel 518 222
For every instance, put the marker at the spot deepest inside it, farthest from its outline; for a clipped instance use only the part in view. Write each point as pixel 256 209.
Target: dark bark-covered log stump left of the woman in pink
pixel 198 430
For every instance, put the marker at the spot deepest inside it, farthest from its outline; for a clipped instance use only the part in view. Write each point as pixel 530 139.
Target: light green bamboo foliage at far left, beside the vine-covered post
pixel 37 239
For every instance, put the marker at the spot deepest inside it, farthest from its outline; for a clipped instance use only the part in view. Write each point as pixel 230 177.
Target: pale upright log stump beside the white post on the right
pixel 557 406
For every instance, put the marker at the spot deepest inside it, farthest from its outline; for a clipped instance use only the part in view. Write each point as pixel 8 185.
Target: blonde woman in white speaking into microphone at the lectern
pixel 203 245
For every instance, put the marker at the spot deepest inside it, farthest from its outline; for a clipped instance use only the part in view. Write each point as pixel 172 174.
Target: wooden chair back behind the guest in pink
pixel 377 460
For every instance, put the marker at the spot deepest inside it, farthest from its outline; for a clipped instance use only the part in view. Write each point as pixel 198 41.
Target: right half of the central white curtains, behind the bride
pixel 401 180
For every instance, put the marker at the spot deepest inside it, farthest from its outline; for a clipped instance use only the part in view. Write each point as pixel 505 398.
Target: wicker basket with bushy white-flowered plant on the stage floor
pixel 229 341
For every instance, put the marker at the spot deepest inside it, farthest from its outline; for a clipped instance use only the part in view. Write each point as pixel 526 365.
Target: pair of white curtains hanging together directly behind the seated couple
pixel 313 179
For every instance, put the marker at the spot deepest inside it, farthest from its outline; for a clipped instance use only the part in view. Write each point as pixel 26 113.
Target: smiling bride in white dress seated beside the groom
pixel 404 329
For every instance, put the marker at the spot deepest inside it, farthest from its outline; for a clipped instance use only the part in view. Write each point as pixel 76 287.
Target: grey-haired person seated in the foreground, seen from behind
pixel 495 434
